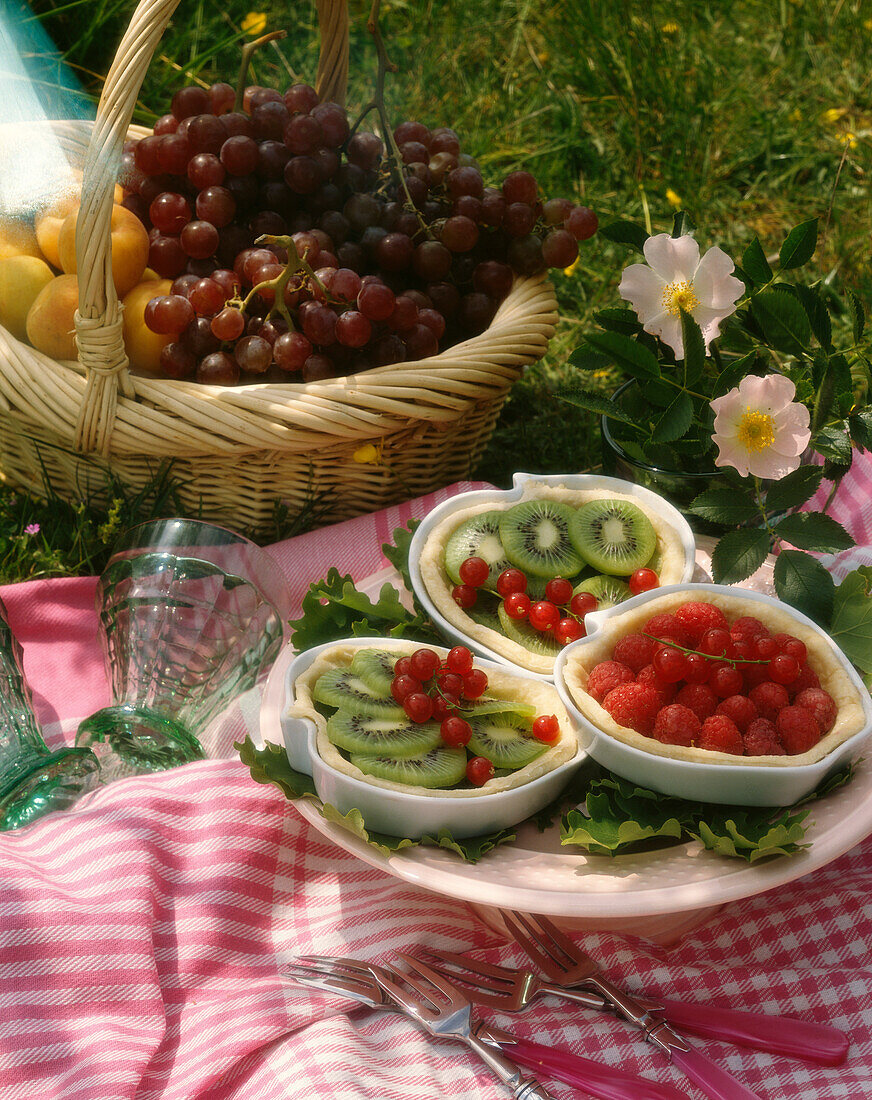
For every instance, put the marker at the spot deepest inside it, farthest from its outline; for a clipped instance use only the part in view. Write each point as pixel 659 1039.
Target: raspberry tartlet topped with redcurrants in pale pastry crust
pixel 716 678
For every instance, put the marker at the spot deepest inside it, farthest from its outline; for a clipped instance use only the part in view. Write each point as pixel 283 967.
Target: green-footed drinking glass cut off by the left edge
pixel 34 779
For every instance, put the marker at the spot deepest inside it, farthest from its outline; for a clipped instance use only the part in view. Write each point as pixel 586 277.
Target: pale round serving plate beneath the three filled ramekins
pixel 655 894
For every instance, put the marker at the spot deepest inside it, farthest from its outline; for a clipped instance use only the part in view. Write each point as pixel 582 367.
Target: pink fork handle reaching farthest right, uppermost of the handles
pixel 827 1047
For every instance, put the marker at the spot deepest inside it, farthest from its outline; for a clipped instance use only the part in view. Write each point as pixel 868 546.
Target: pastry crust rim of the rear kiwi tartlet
pixel 439 586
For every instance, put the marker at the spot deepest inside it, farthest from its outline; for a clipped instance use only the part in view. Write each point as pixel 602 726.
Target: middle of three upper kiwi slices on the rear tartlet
pixel 537 538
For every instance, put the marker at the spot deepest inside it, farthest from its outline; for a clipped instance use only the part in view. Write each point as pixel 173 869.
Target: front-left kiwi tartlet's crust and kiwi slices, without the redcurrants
pixel 365 734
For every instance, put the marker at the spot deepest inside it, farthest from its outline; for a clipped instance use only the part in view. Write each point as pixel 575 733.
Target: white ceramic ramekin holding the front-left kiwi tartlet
pixel 412 816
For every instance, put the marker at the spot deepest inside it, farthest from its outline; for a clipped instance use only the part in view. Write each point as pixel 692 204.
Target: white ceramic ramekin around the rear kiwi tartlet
pixel 648 501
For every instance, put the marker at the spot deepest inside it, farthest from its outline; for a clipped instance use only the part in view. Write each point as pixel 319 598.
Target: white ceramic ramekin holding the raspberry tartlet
pixel 720 783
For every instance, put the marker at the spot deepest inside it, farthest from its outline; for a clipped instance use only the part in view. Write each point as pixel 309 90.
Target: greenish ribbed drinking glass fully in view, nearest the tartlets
pixel 191 615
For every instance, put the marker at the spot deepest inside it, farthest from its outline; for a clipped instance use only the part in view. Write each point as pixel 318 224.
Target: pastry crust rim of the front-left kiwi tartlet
pixel 500 686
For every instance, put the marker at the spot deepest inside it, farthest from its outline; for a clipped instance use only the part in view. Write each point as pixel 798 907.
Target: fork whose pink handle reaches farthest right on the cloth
pixel 511 991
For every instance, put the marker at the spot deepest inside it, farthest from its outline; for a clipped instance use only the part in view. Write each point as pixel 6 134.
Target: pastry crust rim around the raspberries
pixel 822 657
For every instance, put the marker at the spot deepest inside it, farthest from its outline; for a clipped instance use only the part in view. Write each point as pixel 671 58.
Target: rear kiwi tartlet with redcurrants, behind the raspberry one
pixel 518 577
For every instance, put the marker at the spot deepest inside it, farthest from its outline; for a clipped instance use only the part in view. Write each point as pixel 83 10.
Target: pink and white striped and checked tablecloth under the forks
pixel 142 933
